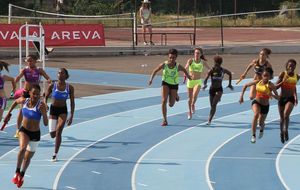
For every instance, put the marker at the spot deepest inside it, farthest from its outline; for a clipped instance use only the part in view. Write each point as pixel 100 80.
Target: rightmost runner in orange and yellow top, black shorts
pixel 287 81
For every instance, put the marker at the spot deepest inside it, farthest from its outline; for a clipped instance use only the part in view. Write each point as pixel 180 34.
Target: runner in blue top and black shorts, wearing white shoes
pixel 60 91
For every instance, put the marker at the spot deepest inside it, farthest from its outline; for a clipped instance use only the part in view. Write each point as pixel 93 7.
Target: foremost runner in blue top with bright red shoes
pixel 29 134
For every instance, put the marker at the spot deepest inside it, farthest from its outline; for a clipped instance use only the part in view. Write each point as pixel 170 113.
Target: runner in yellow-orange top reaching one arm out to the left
pixel 260 104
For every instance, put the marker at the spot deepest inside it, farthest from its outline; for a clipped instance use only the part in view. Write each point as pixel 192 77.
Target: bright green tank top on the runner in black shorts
pixel 170 76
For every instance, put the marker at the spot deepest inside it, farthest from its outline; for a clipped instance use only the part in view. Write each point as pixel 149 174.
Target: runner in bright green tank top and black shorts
pixel 170 81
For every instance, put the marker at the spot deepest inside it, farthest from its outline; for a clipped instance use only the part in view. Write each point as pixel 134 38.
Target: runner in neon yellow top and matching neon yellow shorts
pixel 195 66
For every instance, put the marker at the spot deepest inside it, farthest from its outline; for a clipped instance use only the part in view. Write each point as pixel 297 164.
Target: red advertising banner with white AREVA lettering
pixel 56 34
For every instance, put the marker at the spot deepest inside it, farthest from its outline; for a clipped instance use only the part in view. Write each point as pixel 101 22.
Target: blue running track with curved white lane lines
pixel 116 142
